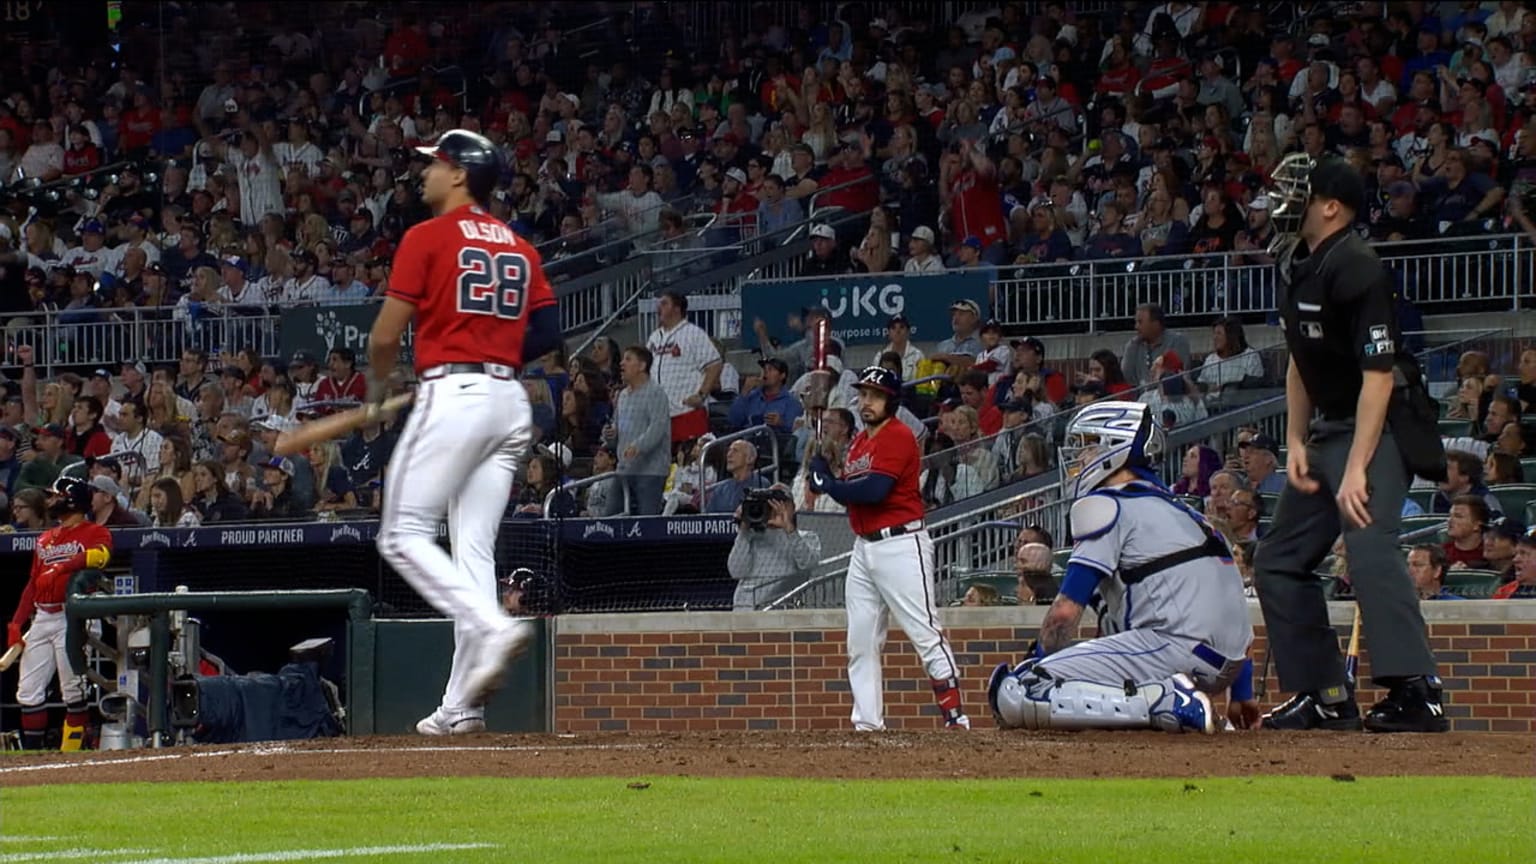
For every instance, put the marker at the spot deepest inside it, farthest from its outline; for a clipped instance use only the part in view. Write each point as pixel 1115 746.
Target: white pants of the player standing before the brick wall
pixel 892 577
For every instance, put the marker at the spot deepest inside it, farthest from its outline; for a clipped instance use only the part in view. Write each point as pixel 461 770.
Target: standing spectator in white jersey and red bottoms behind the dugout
pixel 687 367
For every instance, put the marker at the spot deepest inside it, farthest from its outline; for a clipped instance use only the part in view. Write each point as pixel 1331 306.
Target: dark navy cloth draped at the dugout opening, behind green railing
pixel 265 708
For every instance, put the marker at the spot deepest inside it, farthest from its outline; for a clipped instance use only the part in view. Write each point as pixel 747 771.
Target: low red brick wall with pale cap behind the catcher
pixel 789 670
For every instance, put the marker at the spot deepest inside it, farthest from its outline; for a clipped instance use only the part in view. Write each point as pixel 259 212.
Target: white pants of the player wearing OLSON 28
pixel 457 459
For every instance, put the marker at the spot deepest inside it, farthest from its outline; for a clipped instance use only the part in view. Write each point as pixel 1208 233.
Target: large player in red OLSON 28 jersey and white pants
pixel 483 308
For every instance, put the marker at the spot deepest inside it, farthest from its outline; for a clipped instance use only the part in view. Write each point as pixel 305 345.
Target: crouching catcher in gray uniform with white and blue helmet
pixel 1174 625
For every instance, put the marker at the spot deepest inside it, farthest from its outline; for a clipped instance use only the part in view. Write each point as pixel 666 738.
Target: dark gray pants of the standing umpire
pixel 1302 642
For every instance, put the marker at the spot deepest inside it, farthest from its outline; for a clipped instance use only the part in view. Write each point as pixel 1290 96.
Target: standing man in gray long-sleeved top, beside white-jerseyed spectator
pixel 640 433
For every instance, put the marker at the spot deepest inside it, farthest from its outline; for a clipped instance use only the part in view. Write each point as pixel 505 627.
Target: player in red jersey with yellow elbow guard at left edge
pixel 64 551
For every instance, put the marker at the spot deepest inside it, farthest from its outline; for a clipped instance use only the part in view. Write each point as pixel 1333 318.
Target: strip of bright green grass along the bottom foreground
pixel 684 820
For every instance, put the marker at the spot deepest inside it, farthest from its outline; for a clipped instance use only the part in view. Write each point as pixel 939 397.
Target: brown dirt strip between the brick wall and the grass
pixel 842 756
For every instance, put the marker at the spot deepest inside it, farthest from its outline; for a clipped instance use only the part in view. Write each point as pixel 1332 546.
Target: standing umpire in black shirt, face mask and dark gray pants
pixel 1346 473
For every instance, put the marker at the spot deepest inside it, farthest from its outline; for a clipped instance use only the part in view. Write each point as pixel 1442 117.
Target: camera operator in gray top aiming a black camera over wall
pixel 770 554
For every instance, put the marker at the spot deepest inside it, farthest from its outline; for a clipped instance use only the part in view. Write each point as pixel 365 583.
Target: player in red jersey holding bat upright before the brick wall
pixel 892 570
